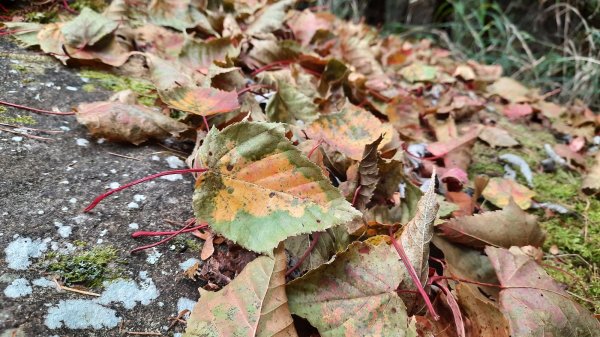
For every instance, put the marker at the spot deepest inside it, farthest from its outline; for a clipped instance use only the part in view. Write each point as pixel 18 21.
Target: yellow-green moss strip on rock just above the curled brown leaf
pixel 145 90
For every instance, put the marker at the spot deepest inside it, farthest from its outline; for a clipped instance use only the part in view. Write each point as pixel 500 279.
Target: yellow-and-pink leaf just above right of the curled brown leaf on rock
pixel 200 101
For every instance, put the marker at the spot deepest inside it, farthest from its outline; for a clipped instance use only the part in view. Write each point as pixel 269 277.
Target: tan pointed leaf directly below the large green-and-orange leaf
pixel 253 304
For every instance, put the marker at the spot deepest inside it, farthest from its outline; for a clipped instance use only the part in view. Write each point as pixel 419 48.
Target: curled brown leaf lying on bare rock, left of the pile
pixel 127 123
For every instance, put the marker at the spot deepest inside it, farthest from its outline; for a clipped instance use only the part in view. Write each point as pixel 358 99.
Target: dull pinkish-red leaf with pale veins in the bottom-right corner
pixel 533 302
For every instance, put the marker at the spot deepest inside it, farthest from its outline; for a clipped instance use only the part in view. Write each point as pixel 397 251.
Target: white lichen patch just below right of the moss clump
pixel 129 293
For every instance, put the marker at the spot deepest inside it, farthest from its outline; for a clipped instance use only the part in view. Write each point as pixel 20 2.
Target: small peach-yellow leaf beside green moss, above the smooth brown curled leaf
pixel 499 191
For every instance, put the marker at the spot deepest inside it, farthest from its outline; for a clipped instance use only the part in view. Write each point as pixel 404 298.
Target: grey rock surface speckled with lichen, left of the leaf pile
pixel 44 187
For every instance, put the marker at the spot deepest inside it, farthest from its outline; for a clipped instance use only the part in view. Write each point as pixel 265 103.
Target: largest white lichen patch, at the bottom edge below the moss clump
pixel 81 314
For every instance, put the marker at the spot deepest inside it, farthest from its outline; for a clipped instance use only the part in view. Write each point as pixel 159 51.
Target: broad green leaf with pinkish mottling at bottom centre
pixel 354 295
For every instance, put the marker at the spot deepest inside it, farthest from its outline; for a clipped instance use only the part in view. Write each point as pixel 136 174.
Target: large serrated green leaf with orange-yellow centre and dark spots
pixel 260 189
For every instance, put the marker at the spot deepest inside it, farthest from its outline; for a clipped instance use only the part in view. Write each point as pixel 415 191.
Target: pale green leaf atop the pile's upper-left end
pixel 87 28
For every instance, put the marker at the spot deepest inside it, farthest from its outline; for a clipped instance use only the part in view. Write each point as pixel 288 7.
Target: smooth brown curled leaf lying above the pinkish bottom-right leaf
pixel 508 227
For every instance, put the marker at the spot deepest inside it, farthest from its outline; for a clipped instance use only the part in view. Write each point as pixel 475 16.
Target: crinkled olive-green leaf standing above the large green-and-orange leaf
pixel 289 105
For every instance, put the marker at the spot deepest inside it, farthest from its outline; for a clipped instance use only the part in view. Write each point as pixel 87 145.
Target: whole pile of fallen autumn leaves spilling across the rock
pixel 317 143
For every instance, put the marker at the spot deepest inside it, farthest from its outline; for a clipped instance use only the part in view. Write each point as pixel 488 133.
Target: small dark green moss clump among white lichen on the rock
pixel 89 268
